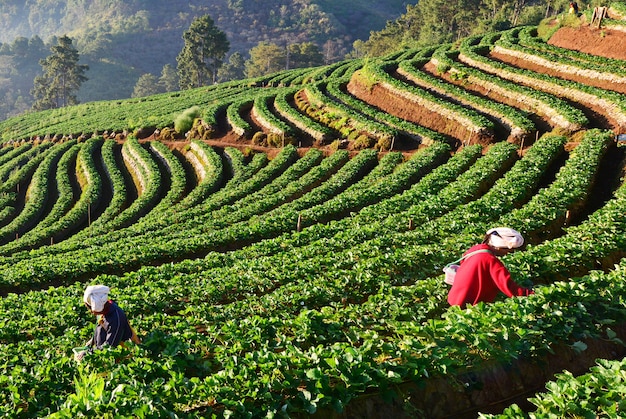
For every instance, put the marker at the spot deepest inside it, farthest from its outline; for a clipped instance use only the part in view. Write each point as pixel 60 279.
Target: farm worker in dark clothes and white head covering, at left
pixel 112 326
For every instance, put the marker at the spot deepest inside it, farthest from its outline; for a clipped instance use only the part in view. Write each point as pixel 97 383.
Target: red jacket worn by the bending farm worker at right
pixel 480 277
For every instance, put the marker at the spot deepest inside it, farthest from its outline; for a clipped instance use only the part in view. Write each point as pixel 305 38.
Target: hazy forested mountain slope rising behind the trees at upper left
pixel 122 39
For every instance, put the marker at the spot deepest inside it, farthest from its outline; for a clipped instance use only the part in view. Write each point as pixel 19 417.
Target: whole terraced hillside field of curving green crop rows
pixel 285 258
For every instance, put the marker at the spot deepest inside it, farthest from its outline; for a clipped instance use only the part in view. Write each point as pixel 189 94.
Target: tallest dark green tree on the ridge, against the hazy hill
pixel 202 55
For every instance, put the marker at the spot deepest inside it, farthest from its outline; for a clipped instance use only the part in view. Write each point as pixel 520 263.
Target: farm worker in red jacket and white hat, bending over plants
pixel 482 275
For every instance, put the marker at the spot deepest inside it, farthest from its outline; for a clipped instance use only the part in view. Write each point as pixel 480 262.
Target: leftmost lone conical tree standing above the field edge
pixel 61 79
